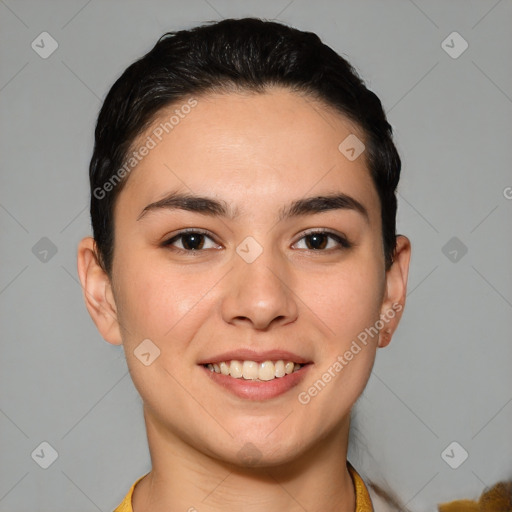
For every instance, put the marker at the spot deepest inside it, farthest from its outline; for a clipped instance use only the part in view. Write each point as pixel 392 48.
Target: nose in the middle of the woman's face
pixel 259 293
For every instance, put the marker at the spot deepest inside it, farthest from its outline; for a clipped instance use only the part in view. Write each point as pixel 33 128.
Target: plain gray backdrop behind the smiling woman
pixel 447 374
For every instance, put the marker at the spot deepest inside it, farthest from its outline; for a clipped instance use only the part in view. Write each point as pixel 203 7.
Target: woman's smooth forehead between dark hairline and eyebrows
pixel 252 145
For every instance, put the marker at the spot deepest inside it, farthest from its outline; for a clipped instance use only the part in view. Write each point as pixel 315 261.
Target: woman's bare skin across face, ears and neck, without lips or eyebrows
pixel 258 152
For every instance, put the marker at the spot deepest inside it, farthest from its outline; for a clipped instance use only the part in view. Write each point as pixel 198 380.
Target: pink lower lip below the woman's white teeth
pixel 258 390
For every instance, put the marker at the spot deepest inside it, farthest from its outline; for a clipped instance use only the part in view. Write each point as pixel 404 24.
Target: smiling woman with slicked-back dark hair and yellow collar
pixel 245 255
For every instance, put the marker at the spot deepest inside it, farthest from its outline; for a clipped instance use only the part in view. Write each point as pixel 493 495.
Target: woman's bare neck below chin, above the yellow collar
pixel 185 478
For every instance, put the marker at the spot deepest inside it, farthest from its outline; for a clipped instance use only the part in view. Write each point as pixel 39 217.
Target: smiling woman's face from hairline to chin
pixel 252 278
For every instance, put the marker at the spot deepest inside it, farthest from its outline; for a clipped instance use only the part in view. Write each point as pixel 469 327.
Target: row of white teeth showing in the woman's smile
pixel 251 370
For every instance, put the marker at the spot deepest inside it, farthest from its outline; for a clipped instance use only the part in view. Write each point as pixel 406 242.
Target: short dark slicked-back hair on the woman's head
pixel 243 55
